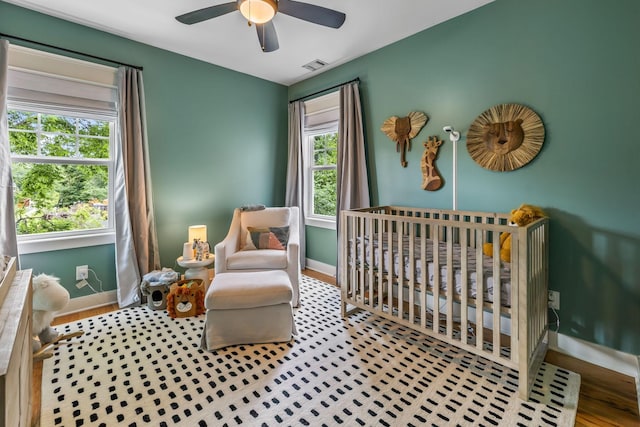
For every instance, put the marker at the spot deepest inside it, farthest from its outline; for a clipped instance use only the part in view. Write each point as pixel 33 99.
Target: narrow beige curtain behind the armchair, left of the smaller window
pixel 294 193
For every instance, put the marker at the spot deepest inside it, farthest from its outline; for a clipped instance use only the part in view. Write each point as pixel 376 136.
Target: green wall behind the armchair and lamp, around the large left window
pixel 217 139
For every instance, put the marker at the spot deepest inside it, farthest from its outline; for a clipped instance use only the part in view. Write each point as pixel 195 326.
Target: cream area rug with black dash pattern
pixel 138 367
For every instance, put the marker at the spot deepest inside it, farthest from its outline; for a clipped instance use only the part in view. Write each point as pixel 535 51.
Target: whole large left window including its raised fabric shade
pixel 62 120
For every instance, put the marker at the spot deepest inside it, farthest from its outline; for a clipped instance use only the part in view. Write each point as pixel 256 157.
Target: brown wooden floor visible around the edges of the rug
pixel 607 398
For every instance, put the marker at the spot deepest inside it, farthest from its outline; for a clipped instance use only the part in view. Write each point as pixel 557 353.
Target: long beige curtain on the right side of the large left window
pixel 136 239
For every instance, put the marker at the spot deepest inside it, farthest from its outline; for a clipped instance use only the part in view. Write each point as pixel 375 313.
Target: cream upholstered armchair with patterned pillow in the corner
pixel 257 241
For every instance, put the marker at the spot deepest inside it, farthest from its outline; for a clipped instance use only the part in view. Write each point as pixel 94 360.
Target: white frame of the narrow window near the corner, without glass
pixel 322 221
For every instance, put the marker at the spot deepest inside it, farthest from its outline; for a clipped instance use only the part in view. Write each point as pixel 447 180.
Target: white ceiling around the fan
pixel 229 42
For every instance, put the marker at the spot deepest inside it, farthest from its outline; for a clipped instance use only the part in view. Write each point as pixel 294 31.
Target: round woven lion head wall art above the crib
pixel 505 137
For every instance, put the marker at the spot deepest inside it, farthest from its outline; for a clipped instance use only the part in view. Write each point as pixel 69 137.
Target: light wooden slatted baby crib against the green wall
pixel 390 259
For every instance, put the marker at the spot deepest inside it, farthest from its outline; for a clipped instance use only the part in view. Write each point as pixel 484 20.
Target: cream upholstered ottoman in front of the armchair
pixel 248 308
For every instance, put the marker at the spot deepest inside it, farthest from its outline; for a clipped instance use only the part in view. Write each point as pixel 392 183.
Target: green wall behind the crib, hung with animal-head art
pixel 576 64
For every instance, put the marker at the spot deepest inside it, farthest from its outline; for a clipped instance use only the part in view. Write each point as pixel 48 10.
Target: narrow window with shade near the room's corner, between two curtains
pixel 321 154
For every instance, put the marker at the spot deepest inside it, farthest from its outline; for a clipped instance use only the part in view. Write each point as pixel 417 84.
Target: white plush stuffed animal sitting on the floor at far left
pixel 48 297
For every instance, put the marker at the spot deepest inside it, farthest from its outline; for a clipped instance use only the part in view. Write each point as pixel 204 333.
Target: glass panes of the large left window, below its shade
pixel 61 166
